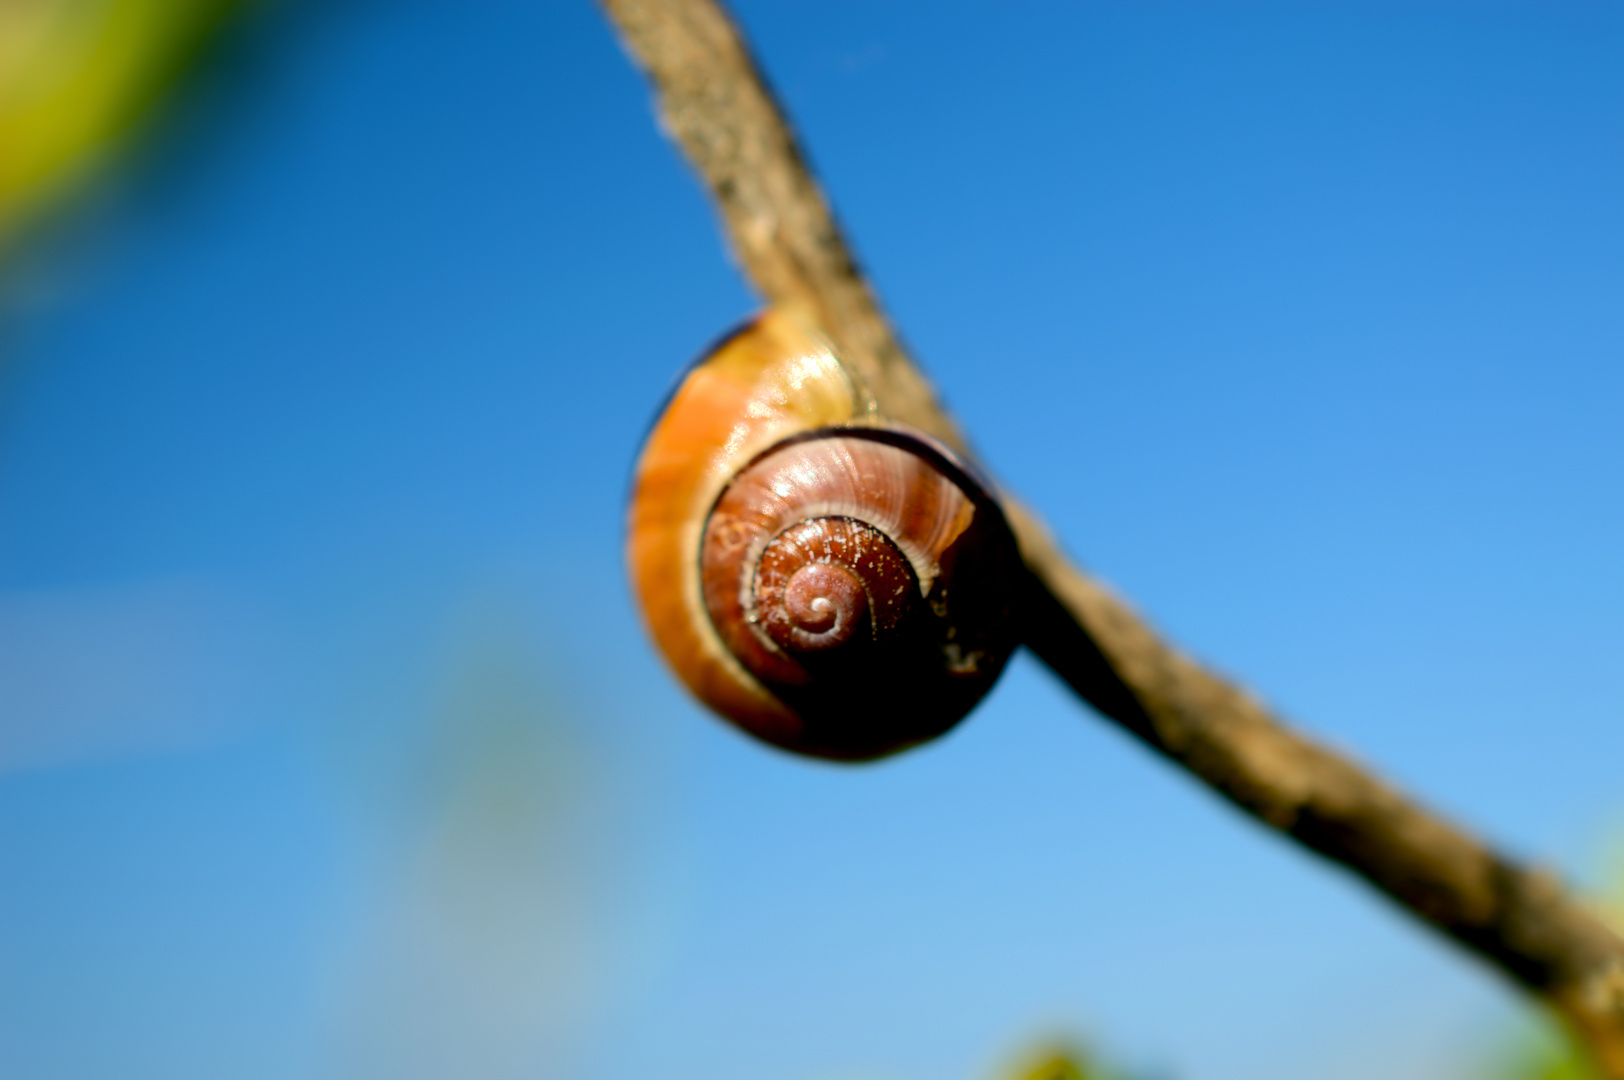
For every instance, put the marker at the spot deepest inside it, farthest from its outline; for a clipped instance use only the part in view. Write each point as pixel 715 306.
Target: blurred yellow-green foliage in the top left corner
pixel 79 80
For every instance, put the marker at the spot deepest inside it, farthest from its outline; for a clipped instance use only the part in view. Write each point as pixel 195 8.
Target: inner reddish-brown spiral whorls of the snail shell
pixel 824 569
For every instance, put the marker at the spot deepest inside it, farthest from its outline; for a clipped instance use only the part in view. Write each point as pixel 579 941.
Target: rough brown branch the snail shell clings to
pixel 717 106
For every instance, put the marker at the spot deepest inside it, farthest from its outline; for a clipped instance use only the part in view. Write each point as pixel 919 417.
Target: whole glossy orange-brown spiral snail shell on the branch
pixel 826 581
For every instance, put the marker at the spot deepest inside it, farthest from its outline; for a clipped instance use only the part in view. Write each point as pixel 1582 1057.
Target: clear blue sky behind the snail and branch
pixel 332 748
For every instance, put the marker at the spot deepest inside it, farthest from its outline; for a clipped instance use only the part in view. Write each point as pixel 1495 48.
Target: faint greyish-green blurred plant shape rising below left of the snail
pixel 495 936
